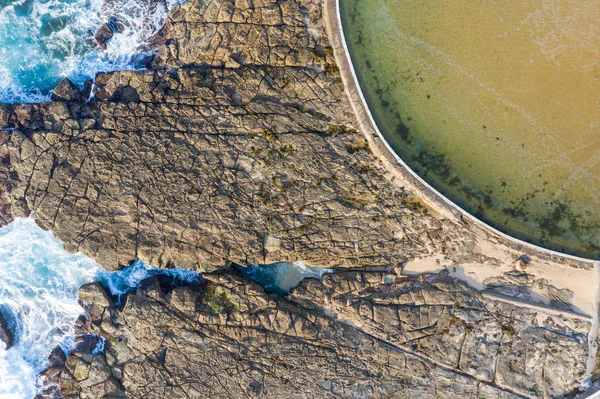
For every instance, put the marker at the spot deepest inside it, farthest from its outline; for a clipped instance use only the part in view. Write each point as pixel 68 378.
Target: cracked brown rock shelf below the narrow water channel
pixel 356 335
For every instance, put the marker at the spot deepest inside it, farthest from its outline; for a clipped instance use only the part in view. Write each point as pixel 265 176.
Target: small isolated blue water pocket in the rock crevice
pixel 281 277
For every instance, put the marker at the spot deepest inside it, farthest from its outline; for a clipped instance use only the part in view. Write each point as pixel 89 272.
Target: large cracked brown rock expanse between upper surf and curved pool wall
pixel 198 161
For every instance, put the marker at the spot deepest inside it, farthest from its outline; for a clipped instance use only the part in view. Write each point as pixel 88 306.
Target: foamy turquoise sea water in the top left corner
pixel 42 41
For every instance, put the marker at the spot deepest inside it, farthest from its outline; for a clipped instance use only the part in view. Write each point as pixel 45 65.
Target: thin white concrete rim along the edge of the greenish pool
pixel 427 185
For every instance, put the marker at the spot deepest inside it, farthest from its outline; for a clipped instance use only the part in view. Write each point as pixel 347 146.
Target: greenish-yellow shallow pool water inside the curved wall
pixel 495 104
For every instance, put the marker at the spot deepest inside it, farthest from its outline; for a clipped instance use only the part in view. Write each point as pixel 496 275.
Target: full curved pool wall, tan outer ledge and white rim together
pixel 398 169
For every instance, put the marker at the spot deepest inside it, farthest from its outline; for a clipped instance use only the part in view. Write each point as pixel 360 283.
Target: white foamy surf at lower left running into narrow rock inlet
pixel 38 291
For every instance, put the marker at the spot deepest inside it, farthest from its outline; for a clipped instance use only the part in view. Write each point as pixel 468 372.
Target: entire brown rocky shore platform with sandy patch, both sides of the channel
pixel 245 142
